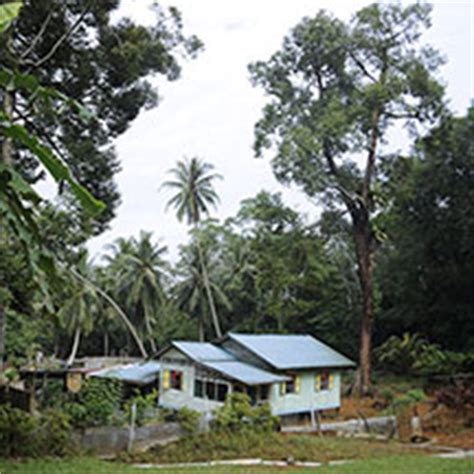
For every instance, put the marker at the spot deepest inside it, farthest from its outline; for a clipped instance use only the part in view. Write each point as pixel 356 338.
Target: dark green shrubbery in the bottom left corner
pixel 26 435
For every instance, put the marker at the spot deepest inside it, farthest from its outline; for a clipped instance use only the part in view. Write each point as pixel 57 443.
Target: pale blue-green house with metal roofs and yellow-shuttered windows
pixel 295 374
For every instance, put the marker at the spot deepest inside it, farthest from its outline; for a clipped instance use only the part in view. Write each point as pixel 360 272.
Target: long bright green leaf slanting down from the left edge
pixel 55 166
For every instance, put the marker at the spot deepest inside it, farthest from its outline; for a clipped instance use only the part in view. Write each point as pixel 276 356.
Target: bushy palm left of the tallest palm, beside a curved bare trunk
pixel 139 270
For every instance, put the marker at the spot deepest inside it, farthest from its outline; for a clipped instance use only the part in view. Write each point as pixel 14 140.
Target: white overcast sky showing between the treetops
pixel 210 112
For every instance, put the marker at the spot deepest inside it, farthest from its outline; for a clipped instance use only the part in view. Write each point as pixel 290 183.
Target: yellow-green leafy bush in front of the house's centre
pixel 238 414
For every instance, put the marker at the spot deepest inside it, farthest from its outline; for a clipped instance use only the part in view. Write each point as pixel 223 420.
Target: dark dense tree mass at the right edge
pixel 427 266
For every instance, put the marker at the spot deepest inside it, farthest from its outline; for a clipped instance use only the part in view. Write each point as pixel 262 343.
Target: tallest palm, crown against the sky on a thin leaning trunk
pixel 194 194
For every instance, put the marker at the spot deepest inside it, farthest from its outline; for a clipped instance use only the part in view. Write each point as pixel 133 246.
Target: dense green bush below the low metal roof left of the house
pixel 97 403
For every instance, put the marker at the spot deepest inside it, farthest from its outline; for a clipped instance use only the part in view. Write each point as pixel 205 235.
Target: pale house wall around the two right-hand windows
pixel 307 398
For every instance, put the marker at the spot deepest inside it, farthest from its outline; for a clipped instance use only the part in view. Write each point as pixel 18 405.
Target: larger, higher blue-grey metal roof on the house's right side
pixel 292 351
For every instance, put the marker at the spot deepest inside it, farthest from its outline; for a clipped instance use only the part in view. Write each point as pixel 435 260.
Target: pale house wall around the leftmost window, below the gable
pixel 176 399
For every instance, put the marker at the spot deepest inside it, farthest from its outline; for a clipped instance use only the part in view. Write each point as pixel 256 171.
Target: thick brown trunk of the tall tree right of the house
pixel 364 250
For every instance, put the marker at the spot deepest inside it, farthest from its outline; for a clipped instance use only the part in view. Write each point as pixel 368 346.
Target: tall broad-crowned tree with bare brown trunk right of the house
pixel 336 89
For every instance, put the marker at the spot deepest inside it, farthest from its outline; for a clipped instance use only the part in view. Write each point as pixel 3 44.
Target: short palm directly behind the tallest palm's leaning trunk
pixel 191 293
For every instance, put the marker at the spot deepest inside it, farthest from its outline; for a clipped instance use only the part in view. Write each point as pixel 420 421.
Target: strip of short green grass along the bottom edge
pixel 392 465
